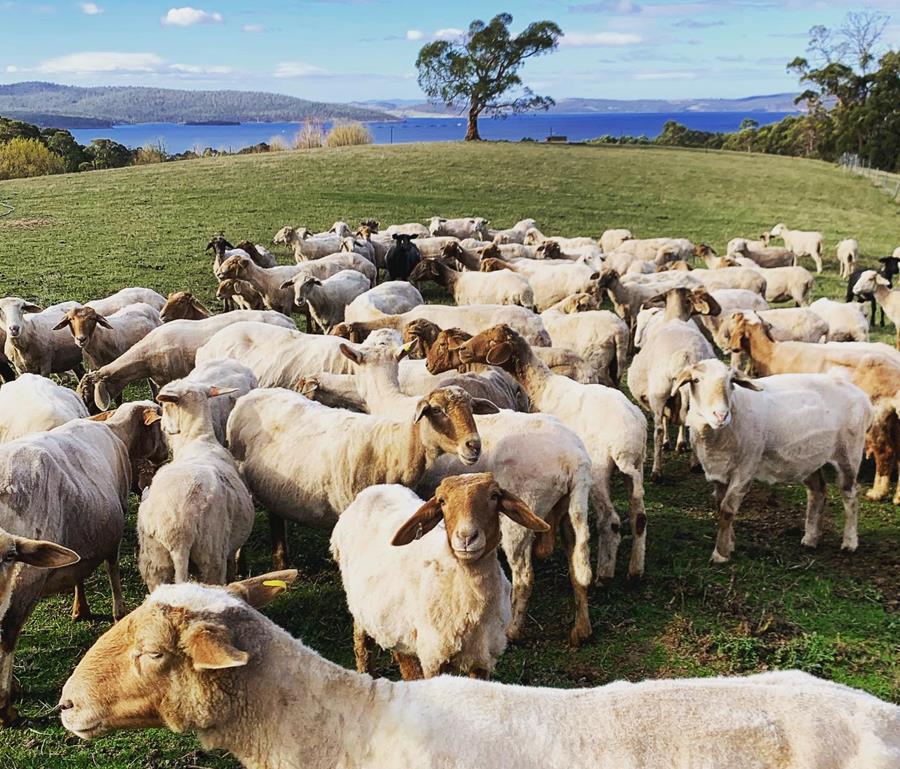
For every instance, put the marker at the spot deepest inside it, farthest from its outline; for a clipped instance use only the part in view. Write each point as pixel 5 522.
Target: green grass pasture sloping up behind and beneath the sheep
pixel 774 606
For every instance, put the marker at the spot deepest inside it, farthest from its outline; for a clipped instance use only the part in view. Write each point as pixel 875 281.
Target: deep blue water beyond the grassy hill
pixel 179 138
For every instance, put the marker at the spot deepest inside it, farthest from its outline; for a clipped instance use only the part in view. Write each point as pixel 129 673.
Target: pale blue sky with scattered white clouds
pixel 343 50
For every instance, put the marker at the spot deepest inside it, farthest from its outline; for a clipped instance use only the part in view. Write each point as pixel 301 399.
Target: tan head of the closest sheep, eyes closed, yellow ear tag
pixel 171 662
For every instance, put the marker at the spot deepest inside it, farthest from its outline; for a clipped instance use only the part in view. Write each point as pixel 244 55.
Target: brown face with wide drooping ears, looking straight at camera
pixel 470 506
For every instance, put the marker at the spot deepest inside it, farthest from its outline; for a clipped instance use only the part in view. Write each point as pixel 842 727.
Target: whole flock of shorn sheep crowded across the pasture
pixel 427 436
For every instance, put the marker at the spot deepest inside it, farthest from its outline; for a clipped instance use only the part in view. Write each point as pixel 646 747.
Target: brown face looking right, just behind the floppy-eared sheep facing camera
pixel 449 425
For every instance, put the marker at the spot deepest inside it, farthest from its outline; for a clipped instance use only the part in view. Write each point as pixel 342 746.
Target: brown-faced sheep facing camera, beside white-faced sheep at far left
pixel 103 339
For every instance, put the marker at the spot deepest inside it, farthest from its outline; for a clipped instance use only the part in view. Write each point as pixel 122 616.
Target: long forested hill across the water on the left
pixel 115 104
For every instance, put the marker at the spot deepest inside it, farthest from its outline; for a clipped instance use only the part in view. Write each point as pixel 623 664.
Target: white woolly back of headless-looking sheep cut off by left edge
pixel 34 404
